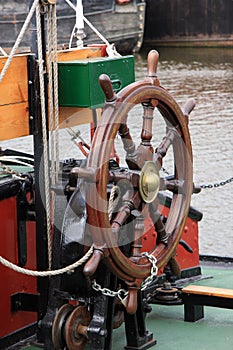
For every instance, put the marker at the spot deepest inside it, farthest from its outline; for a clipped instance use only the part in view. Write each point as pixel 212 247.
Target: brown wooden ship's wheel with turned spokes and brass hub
pixel 144 164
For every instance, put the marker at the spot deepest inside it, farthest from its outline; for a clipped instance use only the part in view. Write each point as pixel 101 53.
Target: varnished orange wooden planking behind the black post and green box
pixel 14 95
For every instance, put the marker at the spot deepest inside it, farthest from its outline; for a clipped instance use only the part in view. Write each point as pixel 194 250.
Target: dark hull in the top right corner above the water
pixel 189 22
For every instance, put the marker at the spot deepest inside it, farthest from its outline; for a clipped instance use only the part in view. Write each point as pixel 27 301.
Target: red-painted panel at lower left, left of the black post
pixel 13 282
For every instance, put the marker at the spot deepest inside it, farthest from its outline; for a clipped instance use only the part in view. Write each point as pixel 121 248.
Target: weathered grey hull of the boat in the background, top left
pixel 120 22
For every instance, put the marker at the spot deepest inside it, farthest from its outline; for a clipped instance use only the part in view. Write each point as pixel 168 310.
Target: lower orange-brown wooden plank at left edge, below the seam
pixel 14 121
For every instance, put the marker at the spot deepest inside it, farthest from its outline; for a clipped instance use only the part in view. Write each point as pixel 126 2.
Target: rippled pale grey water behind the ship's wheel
pixel 206 75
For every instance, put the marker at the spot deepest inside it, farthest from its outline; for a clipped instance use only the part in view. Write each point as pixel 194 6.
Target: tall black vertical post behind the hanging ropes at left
pixel 36 128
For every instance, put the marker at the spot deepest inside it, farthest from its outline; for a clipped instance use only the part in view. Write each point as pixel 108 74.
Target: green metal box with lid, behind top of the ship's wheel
pixel 78 80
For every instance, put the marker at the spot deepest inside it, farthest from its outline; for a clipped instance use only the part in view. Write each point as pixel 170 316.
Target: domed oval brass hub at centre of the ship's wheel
pixel 149 182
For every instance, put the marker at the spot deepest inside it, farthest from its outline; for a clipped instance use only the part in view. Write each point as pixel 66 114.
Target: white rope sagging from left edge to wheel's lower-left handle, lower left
pixel 34 273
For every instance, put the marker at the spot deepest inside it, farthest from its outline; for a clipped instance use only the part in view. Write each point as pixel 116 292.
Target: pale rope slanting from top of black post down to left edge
pixel 19 38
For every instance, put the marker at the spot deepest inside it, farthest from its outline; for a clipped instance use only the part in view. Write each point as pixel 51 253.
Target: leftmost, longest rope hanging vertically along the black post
pixel 44 134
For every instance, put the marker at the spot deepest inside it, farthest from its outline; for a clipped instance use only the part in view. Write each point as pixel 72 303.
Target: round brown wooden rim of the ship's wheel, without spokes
pixel 101 229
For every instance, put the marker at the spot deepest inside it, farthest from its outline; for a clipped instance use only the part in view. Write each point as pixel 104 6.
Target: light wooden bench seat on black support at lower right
pixel 210 291
